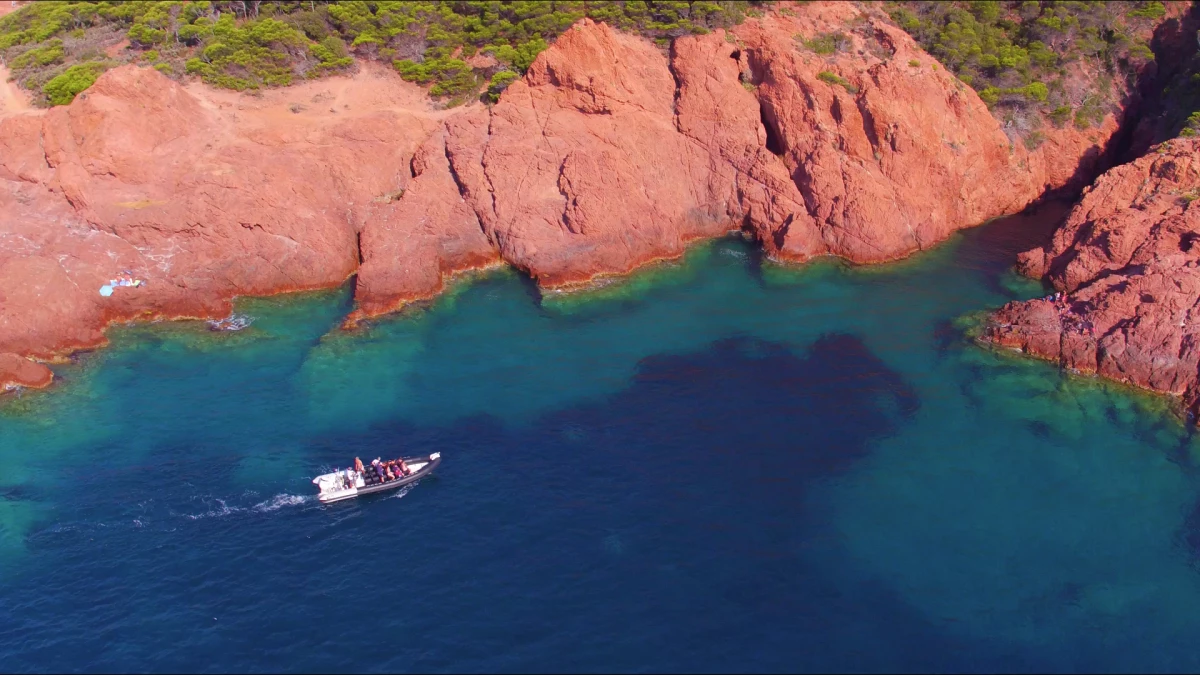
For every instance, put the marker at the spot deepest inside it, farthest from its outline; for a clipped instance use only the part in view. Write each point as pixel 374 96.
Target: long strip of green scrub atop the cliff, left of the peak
pixel 58 49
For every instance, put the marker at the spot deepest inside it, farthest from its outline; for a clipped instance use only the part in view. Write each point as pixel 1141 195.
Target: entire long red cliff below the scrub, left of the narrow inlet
pixel 608 156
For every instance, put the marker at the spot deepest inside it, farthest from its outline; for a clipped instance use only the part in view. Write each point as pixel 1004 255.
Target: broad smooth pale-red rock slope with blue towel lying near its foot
pixel 205 195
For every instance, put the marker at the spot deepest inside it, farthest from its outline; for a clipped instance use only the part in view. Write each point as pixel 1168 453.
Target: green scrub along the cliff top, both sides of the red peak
pixel 1061 62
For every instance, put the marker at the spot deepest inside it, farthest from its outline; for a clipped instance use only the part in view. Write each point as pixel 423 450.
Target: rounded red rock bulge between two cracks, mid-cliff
pixel 580 170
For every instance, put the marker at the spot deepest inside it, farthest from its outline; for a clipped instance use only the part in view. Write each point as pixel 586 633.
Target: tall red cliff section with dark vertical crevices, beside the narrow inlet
pixel 901 156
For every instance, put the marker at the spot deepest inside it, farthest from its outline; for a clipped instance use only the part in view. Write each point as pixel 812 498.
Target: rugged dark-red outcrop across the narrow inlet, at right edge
pixel 1129 262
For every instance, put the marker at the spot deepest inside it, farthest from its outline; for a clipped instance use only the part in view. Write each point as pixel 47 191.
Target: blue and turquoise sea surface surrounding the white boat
pixel 717 465
